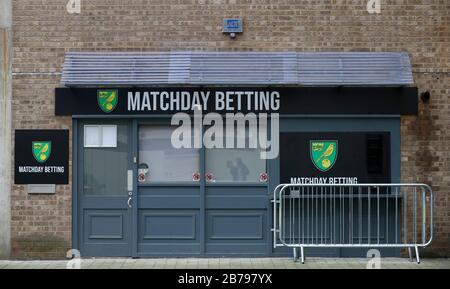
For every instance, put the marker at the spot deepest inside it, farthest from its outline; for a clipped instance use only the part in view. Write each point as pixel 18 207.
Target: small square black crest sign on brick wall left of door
pixel 41 157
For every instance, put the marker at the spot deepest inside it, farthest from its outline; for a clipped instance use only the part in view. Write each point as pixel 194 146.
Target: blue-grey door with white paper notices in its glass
pixel 105 194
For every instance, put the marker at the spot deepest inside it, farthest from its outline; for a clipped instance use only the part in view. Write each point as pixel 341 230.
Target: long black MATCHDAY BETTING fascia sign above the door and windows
pixel 283 100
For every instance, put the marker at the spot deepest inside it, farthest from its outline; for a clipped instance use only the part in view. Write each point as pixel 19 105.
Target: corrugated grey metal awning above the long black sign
pixel 212 68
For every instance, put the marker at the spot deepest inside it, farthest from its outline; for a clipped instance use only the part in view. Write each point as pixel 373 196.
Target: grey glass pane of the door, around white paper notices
pixel 105 169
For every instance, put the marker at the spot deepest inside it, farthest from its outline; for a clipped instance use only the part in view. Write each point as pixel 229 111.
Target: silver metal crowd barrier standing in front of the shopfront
pixel 352 216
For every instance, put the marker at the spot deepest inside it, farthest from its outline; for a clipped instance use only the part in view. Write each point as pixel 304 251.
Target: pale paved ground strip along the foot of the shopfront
pixel 228 263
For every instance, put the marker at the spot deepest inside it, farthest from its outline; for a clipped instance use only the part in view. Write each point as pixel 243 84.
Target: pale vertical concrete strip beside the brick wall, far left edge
pixel 5 127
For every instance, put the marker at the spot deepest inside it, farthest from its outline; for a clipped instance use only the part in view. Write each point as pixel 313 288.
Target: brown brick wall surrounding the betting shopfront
pixel 43 31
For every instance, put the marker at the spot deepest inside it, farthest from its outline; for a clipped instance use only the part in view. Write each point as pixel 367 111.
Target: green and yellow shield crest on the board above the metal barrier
pixel 323 154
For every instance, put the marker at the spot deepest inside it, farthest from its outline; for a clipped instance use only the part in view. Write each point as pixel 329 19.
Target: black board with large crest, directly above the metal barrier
pixel 335 157
